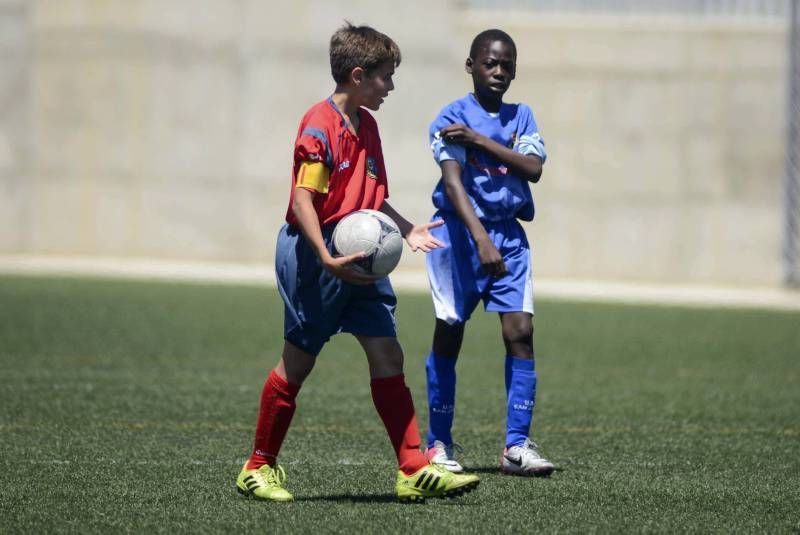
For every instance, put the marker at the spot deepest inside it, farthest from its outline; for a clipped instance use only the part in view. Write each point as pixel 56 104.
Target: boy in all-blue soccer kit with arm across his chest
pixel 488 152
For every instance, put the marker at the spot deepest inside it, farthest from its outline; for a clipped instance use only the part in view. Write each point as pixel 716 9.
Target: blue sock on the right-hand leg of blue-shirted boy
pixel 521 381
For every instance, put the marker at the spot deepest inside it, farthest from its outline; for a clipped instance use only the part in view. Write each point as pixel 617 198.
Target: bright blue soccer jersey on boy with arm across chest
pixel 496 193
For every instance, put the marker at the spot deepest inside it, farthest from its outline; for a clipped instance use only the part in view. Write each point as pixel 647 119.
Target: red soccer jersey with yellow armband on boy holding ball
pixel 346 170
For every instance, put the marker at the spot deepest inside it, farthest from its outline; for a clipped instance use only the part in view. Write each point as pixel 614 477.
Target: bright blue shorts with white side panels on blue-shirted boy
pixel 457 280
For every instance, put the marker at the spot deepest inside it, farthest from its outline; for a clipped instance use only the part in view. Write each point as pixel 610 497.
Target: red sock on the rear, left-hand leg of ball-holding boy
pixel 274 416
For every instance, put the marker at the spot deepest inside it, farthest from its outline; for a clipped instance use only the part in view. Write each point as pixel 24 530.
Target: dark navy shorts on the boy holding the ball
pixel 318 305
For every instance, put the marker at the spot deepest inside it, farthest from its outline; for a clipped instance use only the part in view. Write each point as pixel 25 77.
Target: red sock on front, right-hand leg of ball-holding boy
pixel 393 401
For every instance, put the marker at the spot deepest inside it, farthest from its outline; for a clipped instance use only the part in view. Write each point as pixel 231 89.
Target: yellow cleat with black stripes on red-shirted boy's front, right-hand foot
pixel 433 481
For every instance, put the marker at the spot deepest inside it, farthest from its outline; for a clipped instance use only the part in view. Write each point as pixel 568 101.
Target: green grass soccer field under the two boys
pixel 129 406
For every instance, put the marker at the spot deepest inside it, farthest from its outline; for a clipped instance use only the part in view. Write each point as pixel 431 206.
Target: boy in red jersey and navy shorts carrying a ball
pixel 338 169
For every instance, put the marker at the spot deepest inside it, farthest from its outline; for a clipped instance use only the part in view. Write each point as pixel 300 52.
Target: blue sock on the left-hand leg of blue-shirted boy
pixel 441 373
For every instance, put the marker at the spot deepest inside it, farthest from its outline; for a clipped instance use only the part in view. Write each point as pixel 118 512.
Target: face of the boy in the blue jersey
pixel 492 69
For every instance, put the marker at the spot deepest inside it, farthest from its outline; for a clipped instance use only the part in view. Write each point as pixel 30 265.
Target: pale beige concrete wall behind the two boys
pixel 151 129
